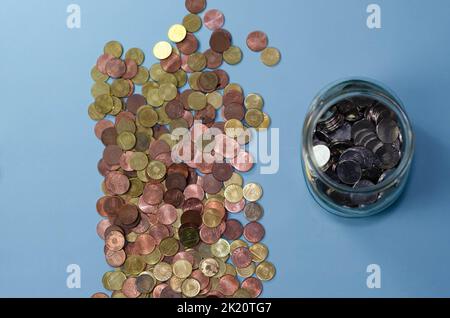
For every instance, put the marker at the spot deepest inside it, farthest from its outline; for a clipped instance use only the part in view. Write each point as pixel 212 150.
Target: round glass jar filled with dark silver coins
pixel 358 146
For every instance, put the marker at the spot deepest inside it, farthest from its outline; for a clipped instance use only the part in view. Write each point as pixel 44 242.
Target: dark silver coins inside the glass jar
pixel 358 143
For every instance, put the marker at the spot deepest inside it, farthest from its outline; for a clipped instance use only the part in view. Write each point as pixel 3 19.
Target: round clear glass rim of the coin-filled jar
pixel 378 92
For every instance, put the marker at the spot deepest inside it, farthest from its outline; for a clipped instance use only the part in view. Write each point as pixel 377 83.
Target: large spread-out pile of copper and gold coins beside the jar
pixel 172 169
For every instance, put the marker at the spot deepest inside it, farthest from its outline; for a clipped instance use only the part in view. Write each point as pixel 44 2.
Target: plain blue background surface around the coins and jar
pixel 48 152
